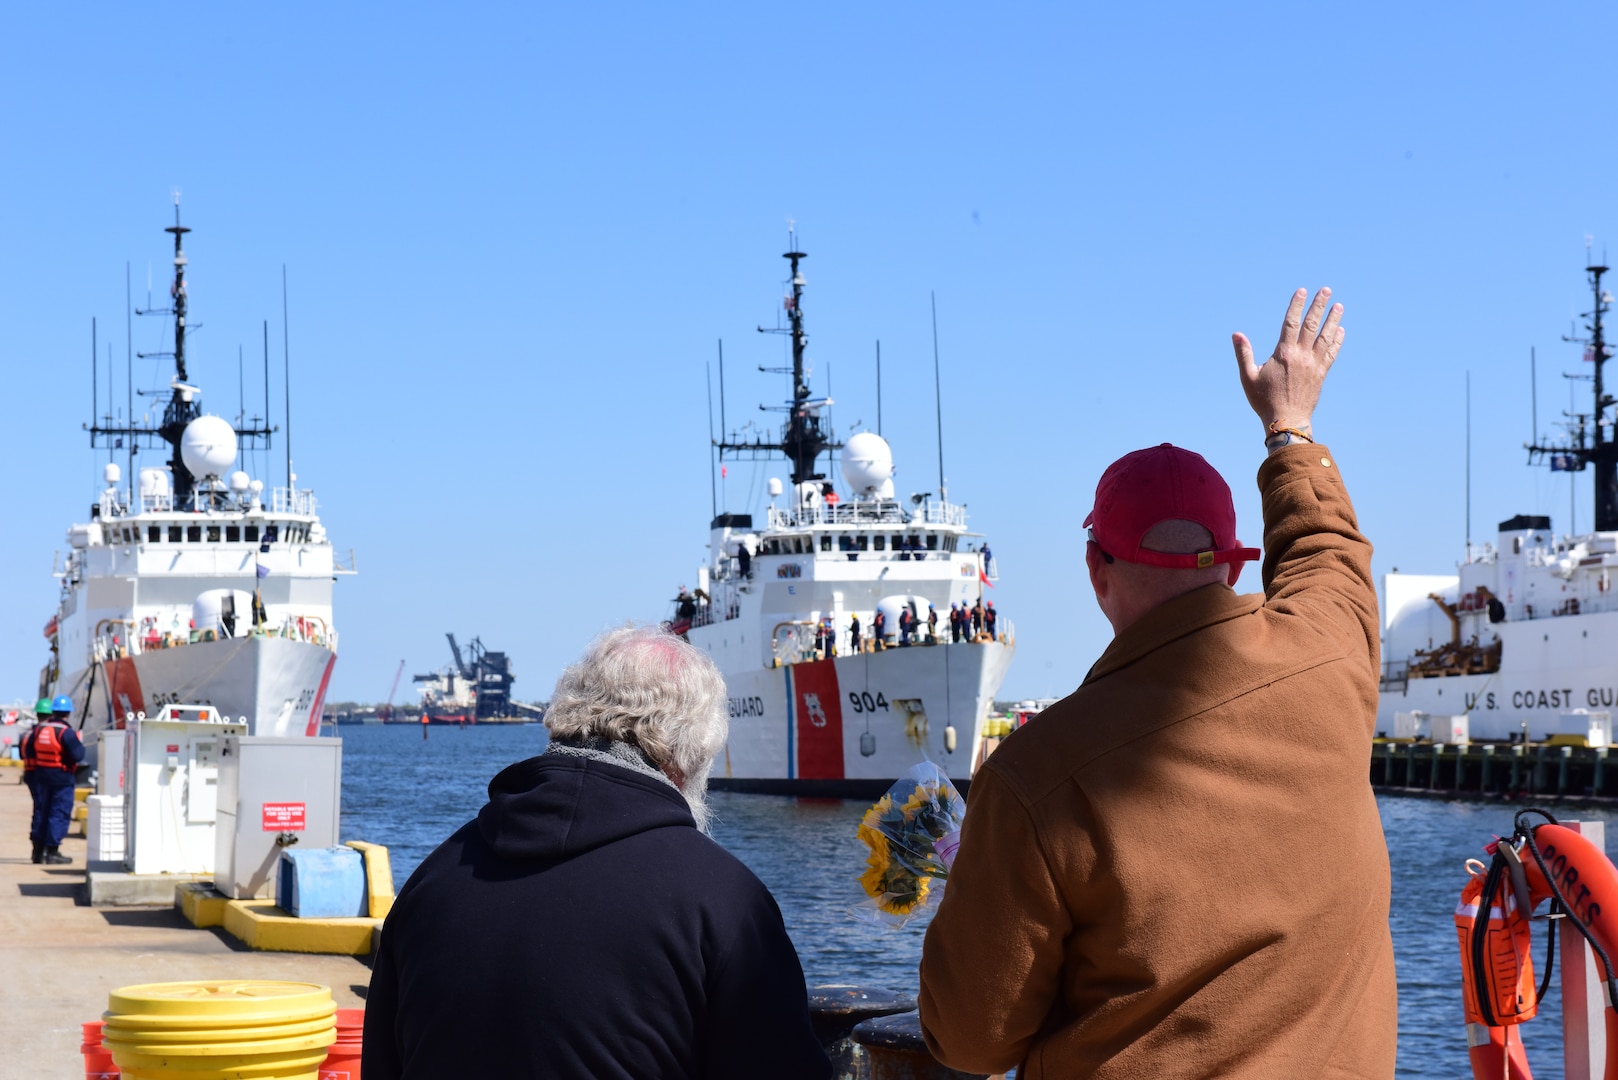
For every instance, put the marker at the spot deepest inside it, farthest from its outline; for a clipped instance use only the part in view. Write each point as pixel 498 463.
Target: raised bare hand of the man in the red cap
pixel 1286 389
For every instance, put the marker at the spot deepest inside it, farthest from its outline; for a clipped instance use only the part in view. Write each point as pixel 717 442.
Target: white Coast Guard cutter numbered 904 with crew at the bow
pixel 774 608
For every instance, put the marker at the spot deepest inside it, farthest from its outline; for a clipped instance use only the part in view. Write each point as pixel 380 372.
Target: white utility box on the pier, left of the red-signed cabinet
pixel 171 789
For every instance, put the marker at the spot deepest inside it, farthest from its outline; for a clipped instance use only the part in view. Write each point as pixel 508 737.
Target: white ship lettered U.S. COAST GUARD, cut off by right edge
pixel 1523 639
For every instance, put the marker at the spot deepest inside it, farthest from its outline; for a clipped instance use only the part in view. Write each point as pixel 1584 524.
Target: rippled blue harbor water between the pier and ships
pixel 412 794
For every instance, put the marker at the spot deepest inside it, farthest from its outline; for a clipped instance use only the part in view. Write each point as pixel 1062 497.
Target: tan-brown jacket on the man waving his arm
pixel 1180 870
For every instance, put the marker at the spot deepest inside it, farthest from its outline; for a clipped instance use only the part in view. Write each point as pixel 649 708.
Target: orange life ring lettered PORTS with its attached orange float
pixel 1538 864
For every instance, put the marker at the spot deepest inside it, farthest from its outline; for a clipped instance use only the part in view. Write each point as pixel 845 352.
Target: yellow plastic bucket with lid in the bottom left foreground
pixel 227 1031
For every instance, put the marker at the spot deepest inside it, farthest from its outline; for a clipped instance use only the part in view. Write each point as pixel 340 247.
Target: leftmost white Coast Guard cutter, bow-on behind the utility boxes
pixel 190 585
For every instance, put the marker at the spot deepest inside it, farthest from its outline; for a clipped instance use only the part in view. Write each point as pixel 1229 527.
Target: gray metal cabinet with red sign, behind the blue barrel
pixel 273 793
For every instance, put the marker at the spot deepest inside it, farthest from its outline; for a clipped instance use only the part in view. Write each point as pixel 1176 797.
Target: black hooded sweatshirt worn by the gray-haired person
pixel 583 927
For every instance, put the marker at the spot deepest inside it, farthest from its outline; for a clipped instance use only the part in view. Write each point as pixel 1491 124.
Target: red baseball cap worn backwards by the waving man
pixel 1163 485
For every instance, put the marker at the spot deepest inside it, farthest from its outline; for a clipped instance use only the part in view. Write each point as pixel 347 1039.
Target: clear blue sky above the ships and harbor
pixel 515 234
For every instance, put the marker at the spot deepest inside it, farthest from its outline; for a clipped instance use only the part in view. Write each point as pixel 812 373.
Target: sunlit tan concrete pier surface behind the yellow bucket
pixel 61 958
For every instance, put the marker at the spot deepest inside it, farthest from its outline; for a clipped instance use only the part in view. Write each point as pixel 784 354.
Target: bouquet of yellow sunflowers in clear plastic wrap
pixel 912 835
